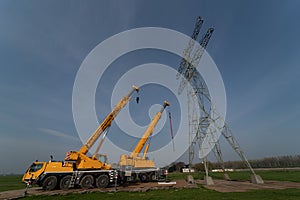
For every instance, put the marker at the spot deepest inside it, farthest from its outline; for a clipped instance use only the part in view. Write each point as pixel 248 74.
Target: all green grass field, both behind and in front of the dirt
pixel 14 182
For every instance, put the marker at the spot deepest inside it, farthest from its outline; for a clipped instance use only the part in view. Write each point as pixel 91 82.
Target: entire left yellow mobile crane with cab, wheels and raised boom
pixel 78 169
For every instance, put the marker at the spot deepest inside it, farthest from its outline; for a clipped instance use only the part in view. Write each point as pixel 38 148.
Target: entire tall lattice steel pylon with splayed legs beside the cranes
pixel 204 123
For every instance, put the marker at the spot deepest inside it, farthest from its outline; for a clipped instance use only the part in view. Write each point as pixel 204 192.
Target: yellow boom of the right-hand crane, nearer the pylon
pixel 148 132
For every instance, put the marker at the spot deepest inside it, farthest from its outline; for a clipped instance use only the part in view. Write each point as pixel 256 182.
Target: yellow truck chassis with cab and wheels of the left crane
pixel 44 175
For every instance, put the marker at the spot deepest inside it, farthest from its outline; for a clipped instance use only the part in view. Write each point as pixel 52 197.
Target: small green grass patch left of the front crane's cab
pixel 11 182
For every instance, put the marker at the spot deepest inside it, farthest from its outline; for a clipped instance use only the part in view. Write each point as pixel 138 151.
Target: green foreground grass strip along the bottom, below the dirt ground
pixel 200 193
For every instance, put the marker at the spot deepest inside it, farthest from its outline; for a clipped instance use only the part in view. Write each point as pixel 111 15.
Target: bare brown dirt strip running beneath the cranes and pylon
pixel 219 185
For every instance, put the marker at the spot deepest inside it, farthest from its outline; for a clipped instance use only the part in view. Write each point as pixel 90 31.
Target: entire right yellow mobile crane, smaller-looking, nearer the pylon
pixel 134 165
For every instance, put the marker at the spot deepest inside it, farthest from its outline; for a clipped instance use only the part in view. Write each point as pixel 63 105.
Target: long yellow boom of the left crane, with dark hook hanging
pixel 107 121
